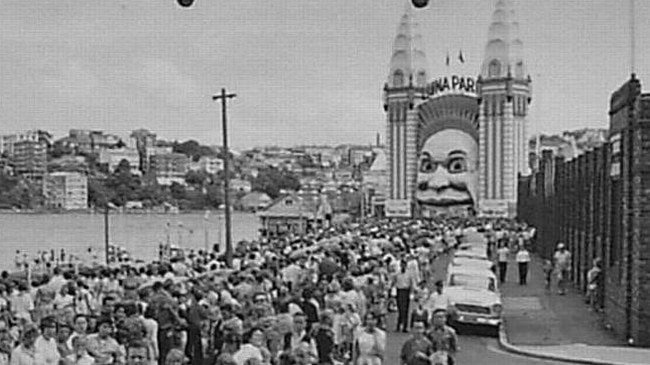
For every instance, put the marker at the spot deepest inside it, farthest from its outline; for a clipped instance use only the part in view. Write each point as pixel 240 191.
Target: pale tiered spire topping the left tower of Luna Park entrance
pixel 408 61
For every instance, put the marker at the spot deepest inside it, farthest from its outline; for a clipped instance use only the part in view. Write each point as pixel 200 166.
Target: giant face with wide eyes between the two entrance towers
pixel 447 172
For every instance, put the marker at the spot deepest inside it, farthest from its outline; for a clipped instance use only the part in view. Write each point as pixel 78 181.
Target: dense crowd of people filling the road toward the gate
pixel 320 298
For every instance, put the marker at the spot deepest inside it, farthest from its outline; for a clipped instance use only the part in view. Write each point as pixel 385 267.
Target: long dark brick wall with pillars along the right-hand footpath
pixel 599 205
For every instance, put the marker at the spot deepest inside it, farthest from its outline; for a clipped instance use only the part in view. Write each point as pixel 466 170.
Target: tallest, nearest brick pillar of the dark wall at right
pixel 626 136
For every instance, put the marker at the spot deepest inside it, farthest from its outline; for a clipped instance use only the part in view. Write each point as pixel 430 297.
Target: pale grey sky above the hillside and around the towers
pixel 304 71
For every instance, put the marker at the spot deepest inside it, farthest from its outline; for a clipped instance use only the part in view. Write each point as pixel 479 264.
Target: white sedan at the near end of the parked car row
pixel 474 296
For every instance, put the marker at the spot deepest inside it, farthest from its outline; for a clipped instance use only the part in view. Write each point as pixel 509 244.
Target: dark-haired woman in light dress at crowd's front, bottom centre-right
pixel 370 343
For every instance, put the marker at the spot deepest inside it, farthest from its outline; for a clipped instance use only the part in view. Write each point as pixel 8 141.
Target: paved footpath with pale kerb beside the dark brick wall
pixel 539 321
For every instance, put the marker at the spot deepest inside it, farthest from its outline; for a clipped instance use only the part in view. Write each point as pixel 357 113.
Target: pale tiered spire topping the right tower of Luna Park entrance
pixel 504 49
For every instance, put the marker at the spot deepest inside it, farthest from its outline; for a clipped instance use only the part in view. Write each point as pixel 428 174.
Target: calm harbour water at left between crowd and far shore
pixel 140 234
